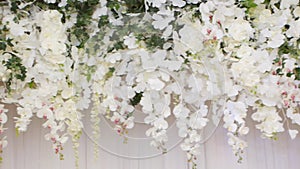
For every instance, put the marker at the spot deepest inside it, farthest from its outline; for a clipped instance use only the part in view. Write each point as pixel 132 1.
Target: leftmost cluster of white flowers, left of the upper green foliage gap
pixel 41 43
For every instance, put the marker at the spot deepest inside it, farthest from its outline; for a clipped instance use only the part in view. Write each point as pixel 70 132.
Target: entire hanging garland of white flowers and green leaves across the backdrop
pixel 195 60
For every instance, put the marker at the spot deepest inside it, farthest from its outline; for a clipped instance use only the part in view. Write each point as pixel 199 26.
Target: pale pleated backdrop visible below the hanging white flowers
pixel 31 151
